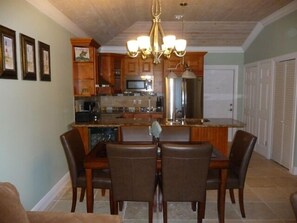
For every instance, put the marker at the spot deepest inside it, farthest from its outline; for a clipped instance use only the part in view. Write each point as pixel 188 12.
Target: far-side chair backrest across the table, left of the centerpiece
pixel 136 133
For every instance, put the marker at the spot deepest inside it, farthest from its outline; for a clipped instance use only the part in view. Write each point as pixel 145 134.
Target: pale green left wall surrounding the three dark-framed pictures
pixel 35 113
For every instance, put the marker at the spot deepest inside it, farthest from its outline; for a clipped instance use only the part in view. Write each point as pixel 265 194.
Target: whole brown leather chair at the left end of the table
pixel 75 154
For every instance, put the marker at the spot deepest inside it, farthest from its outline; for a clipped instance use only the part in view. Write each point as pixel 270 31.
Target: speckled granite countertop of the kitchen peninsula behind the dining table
pixel 117 122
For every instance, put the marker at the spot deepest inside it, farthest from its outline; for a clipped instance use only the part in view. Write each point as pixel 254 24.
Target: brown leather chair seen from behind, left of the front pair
pixel 133 173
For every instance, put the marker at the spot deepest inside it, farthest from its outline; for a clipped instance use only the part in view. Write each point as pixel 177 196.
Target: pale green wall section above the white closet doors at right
pixel 276 39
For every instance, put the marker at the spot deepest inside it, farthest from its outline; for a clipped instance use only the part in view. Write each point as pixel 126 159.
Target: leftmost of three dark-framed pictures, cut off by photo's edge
pixel 8 64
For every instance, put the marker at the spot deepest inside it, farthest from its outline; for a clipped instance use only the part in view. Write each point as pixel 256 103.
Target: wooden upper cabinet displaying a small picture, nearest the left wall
pixel 85 66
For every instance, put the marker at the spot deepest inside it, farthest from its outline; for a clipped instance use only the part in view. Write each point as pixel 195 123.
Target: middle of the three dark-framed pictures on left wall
pixel 28 57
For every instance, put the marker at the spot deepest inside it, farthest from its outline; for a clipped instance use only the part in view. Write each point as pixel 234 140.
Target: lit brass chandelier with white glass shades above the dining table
pixel 149 45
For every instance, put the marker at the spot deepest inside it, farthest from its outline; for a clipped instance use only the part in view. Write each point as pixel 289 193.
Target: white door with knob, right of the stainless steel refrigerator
pixel 219 90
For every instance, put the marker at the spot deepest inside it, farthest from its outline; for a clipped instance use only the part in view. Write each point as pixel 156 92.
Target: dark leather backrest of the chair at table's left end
pixel 75 153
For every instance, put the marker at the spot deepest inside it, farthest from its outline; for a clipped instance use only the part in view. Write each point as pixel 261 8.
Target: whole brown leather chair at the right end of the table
pixel 240 154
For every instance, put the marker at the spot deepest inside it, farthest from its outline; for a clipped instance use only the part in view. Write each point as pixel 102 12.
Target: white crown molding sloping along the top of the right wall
pixel 291 7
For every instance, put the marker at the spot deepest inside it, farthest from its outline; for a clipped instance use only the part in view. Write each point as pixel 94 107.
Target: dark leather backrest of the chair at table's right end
pixel 240 154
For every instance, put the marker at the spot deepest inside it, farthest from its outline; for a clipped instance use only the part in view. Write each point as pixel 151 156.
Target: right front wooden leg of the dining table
pixel 221 195
